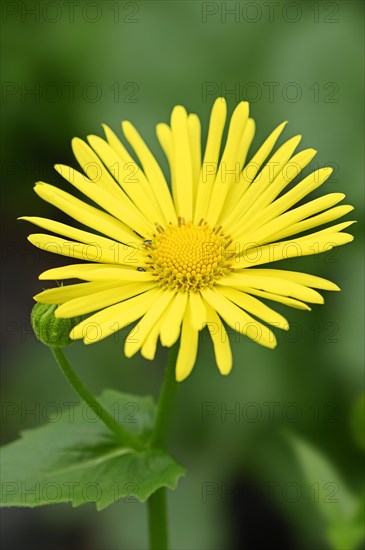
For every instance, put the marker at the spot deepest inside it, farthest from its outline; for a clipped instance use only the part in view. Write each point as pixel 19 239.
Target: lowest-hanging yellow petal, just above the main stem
pixel 188 348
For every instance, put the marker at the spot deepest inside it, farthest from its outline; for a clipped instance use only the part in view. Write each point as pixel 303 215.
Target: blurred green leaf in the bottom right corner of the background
pixel 341 509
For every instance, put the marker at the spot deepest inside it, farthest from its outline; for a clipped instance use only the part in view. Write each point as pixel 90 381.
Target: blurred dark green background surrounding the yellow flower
pixel 252 482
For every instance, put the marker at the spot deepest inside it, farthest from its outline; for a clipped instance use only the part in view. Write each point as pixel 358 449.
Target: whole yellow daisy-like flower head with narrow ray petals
pixel 183 260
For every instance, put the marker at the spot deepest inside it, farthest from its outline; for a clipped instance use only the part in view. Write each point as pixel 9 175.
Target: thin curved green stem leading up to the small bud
pixel 123 437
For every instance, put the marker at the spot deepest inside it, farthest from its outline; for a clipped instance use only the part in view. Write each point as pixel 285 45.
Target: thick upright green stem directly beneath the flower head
pixel 157 503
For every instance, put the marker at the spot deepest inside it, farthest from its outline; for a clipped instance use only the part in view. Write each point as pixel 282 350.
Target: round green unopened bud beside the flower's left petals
pixel 50 330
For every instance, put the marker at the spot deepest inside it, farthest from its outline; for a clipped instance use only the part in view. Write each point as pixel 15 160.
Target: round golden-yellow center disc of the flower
pixel 189 257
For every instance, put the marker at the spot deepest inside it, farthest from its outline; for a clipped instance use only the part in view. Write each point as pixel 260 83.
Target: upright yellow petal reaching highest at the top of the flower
pixel 211 157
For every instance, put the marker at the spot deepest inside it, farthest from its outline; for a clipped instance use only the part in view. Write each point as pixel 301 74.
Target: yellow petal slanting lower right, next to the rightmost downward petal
pixel 239 320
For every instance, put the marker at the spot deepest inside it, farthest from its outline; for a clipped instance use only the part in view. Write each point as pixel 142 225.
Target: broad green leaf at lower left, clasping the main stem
pixel 75 459
